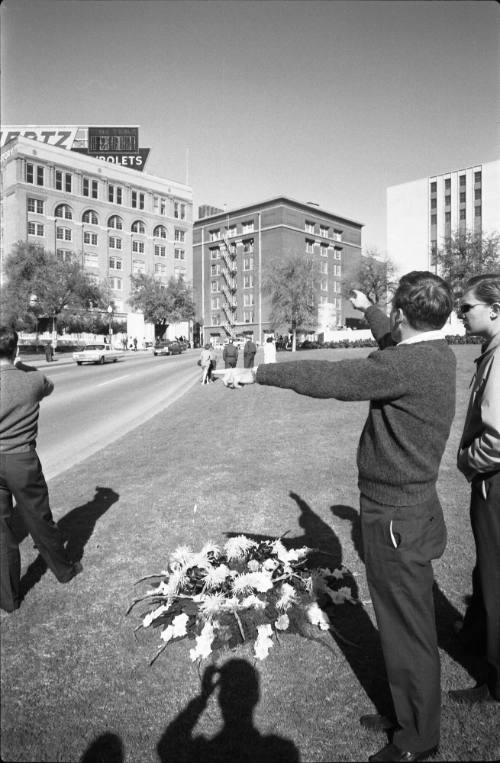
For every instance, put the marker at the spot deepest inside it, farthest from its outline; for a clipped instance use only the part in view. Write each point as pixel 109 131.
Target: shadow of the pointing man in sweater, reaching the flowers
pixel 353 630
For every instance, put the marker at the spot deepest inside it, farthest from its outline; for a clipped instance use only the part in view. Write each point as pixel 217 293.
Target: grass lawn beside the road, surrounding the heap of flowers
pixel 76 685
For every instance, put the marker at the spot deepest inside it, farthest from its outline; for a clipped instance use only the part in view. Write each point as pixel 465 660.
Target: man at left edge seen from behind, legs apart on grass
pixel 21 476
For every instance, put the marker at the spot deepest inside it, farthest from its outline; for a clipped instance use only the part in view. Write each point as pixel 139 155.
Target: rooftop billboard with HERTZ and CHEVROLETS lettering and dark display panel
pixel 119 145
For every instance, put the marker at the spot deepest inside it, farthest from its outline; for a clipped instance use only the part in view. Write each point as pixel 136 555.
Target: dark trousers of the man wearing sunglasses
pixel 481 629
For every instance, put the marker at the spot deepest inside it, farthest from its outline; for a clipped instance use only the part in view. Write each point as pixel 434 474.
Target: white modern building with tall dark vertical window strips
pixel 421 214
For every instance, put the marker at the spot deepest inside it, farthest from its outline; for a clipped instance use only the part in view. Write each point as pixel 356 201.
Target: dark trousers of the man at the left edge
pixel 21 477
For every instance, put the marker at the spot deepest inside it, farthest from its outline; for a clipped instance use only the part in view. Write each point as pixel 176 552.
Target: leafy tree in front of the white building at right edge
pixel 466 254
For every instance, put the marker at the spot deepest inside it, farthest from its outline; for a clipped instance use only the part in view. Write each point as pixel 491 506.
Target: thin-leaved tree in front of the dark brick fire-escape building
pixel 292 285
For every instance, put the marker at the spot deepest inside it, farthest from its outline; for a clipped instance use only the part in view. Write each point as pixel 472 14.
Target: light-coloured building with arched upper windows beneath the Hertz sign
pixel 116 220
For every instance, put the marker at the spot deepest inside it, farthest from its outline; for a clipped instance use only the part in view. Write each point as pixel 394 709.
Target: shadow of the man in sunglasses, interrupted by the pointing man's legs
pixel 446 614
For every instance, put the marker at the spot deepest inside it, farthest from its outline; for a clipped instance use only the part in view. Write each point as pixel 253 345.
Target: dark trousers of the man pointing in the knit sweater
pixel 399 544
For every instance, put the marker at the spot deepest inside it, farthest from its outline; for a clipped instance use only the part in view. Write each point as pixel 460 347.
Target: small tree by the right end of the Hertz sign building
pixel 162 304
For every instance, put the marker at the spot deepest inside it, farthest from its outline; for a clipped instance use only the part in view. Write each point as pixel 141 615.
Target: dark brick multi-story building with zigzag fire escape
pixel 231 250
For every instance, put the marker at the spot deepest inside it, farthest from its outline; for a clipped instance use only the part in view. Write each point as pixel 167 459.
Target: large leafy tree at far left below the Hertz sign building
pixel 41 285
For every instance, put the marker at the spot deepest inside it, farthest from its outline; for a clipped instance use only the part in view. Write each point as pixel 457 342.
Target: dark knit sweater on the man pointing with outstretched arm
pixel 411 389
